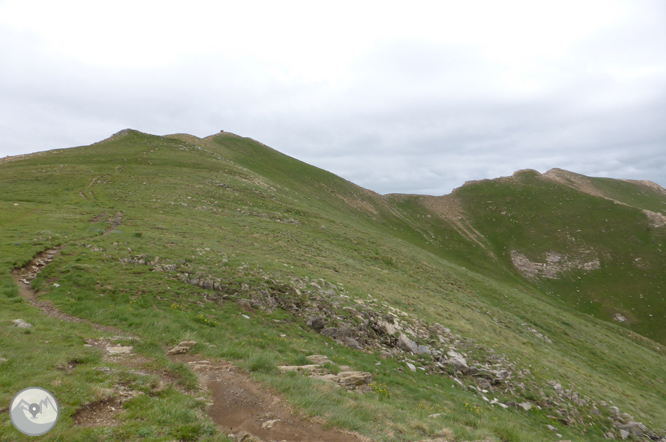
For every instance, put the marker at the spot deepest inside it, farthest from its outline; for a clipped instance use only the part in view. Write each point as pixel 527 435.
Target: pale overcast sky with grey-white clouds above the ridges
pixel 396 98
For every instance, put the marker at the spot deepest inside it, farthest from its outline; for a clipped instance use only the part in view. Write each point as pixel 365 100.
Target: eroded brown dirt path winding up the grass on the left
pixel 240 405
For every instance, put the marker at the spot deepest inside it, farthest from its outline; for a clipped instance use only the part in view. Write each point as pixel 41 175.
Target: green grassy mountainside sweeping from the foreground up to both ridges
pixel 140 217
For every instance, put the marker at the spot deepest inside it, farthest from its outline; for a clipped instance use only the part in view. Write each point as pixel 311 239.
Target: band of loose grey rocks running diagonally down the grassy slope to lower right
pixel 372 325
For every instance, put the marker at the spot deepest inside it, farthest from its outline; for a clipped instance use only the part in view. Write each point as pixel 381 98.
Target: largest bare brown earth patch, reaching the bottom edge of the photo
pixel 241 404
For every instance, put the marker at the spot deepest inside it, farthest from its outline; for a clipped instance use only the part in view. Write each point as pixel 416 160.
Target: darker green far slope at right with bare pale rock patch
pixel 591 243
